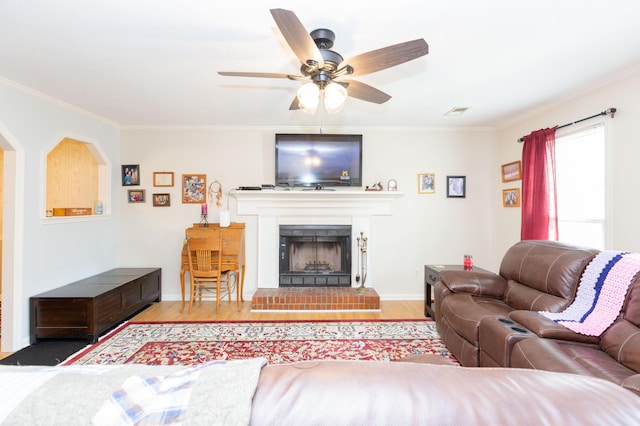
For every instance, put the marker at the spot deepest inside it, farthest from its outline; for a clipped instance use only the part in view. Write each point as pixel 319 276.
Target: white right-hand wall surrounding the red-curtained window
pixel 625 149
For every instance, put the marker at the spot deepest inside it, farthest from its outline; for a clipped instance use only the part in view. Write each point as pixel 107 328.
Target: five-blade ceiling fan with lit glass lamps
pixel 325 70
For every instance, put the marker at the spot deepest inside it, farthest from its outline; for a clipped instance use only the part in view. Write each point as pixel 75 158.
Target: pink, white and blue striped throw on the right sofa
pixel 601 293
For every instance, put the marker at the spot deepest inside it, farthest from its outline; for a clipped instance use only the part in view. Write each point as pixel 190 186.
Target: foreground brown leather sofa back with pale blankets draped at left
pixel 309 393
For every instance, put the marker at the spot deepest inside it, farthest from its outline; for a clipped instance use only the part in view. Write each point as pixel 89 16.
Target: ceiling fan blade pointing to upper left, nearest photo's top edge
pixel 297 37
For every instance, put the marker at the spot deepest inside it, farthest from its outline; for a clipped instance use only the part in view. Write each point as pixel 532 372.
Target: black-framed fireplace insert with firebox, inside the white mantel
pixel 315 256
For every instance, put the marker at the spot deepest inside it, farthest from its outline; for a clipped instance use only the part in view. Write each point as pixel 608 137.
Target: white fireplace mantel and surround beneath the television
pixel 298 207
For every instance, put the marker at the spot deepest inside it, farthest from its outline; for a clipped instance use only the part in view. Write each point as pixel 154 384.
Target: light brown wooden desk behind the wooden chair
pixel 232 256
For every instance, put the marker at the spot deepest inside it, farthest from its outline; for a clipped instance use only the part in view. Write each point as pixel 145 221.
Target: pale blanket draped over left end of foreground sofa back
pixel 218 393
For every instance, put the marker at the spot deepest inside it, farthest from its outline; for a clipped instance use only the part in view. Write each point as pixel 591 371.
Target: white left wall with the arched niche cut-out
pixel 43 255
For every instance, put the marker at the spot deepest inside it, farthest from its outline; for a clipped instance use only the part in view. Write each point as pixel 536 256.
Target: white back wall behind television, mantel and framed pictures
pixel 423 229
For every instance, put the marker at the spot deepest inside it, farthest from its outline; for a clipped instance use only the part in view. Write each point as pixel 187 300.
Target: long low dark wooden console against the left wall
pixel 89 307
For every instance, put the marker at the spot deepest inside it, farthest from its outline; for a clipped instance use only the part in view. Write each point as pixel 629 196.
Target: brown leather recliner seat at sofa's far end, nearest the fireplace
pixel 534 276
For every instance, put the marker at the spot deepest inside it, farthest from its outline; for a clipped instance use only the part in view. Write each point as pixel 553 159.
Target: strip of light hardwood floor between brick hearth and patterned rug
pixel 205 311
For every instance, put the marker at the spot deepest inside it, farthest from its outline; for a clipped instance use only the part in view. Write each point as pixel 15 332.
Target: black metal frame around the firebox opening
pixel 296 234
